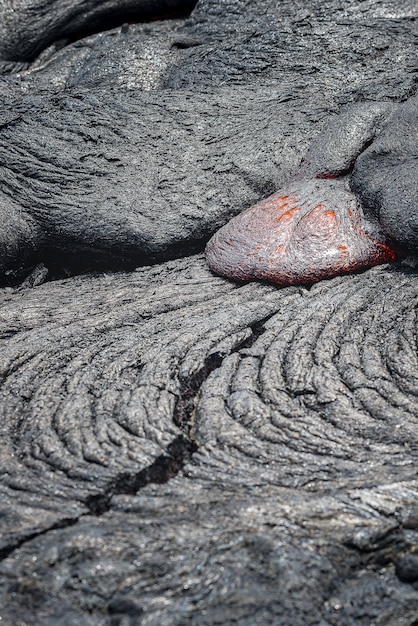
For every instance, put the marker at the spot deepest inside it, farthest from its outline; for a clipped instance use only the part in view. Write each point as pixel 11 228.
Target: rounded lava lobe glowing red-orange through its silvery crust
pixel 307 231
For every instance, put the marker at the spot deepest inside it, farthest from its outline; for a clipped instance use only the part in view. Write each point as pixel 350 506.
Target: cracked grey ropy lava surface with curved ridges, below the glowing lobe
pixel 284 421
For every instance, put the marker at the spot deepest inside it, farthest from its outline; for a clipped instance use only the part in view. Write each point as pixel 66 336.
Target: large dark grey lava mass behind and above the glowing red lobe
pixel 111 158
